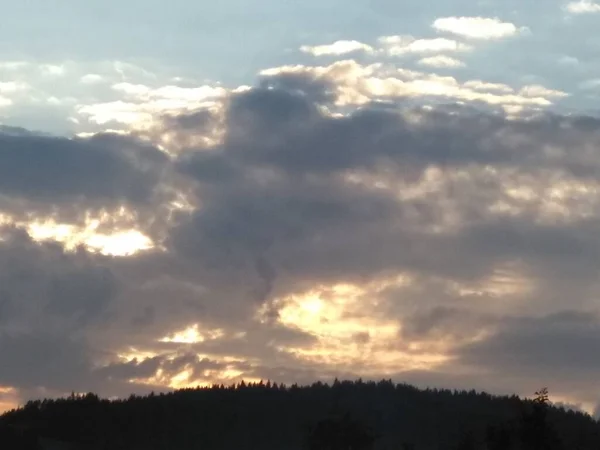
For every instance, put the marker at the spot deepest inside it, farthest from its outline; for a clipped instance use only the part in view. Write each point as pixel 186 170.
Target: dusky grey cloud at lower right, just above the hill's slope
pixel 557 350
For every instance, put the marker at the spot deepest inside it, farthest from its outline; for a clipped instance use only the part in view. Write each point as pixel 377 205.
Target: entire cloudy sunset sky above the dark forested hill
pixel 204 192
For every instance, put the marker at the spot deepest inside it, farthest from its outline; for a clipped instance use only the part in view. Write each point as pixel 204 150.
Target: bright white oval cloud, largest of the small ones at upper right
pixel 476 27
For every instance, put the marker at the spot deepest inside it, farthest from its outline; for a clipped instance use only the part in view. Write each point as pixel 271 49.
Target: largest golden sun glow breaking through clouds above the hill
pixel 348 333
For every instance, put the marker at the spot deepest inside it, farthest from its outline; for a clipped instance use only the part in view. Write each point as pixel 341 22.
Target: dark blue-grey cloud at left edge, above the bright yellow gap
pixel 54 170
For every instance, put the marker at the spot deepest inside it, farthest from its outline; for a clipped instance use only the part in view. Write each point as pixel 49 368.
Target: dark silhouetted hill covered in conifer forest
pixel 348 415
